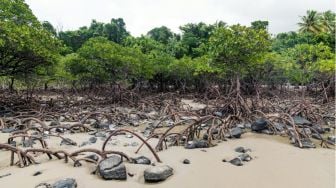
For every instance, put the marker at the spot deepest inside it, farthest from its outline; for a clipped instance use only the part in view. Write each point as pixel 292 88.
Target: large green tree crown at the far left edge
pixel 25 45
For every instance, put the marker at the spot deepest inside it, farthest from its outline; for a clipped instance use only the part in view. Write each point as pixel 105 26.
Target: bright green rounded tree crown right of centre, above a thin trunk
pixel 237 48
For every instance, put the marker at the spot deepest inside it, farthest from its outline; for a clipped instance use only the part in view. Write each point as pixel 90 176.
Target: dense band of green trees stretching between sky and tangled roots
pixel 232 58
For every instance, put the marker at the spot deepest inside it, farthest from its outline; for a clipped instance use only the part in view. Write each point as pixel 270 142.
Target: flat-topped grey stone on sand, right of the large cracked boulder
pixel 158 173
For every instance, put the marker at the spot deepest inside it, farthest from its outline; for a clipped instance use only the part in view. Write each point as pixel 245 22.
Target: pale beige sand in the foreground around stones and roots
pixel 275 164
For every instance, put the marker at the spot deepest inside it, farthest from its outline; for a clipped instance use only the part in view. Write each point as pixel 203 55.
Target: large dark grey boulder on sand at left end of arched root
pixel 112 168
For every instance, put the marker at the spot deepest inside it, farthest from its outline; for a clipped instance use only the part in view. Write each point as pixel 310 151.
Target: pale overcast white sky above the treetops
pixel 141 16
